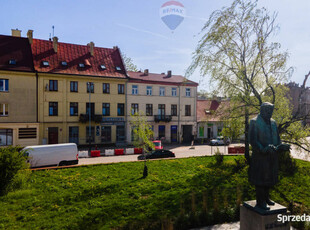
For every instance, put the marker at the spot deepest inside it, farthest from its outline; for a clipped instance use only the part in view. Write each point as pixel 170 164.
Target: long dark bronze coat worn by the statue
pixel 263 170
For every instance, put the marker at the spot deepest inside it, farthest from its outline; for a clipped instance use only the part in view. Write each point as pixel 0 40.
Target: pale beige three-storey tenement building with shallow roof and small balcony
pixel 168 102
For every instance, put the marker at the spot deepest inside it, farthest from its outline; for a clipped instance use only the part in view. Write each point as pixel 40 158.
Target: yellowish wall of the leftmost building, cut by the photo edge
pixel 22 111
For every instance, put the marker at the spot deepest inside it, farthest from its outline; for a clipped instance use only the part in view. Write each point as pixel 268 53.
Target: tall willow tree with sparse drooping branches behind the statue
pixel 237 52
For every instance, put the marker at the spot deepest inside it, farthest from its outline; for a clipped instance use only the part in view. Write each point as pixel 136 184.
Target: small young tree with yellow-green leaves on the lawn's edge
pixel 142 132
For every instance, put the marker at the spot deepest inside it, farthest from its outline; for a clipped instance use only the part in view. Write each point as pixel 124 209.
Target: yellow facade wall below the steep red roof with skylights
pixel 63 96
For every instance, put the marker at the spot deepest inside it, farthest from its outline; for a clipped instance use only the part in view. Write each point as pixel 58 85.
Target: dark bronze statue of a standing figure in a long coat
pixel 266 144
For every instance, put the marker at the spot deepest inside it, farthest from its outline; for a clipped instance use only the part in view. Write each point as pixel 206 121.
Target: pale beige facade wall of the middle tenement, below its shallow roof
pixel 180 100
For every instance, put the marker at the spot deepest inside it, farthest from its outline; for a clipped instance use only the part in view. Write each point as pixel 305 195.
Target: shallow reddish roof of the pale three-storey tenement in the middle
pixel 159 78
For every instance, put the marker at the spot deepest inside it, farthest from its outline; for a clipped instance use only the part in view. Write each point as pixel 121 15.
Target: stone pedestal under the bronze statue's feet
pixel 255 218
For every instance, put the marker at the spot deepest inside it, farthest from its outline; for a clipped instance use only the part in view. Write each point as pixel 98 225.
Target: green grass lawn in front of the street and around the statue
pixel 183 192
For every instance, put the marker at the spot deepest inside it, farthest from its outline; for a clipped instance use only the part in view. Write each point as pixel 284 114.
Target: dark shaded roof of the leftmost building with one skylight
pixel 16 48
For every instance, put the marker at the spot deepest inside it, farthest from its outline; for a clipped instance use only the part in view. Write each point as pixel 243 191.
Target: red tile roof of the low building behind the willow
pixel 216 110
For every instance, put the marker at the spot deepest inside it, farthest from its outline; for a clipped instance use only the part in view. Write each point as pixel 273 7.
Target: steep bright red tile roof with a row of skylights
pixel 74 55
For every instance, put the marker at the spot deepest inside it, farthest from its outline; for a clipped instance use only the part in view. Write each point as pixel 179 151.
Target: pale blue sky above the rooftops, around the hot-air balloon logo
pixel 136 28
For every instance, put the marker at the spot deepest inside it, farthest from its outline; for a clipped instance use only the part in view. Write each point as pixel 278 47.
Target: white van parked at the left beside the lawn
pixel 51 155
